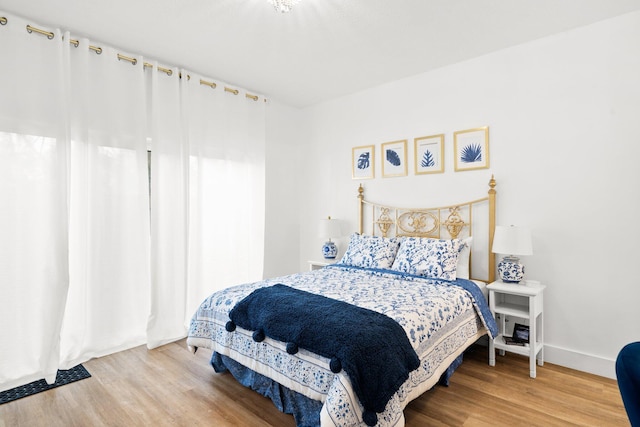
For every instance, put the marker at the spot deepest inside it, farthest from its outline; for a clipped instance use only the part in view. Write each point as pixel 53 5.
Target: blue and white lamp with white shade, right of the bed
pixel 512 241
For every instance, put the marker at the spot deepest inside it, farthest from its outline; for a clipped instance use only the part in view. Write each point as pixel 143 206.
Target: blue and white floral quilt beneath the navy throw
pixel 440 318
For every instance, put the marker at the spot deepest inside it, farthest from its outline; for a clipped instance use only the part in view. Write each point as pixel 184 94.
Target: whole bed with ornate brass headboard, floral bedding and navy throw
pixel 353 343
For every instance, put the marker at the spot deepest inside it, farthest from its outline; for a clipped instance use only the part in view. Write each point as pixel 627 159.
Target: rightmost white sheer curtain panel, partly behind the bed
pixel 226 134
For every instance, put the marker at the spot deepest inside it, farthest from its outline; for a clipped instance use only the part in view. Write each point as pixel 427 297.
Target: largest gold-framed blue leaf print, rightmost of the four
pixel 471 148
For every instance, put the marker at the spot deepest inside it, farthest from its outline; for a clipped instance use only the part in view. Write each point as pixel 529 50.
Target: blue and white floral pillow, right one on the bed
pixel 437 259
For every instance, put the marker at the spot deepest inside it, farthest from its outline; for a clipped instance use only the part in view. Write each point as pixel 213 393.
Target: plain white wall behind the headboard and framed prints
pixel 563 114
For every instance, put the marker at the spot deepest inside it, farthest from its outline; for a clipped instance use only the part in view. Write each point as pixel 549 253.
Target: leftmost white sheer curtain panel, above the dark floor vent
pixel 33 204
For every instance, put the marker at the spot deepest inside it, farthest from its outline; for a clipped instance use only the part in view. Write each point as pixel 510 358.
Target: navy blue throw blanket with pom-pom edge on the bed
pixel 372 348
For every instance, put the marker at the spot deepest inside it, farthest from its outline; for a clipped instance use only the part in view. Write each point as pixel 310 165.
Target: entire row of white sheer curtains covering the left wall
pixel 87 265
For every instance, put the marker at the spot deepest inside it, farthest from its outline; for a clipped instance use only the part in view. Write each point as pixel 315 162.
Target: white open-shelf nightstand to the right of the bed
pixel 522 301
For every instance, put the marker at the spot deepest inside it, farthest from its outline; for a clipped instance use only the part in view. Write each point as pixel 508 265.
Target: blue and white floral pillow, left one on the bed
pixel 370 251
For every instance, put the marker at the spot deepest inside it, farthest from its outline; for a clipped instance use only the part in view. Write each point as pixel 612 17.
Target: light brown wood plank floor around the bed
pixel 169 386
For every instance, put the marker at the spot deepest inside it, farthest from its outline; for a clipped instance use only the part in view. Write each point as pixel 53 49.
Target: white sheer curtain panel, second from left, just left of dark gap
pixel 108 300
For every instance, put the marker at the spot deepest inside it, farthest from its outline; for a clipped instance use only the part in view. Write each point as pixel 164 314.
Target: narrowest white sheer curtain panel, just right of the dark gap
pixel 169 210
